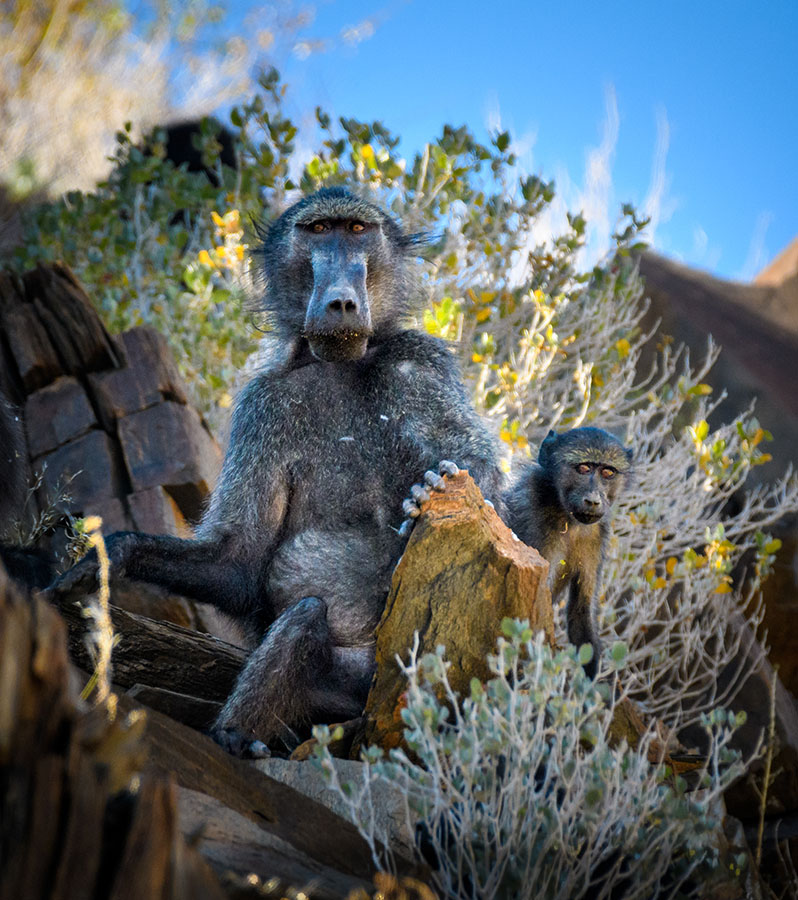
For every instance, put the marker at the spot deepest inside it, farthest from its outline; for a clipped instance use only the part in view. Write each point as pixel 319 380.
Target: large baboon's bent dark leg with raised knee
pixel 293 679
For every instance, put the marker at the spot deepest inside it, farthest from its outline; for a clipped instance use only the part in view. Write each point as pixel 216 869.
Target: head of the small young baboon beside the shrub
pixel 588 466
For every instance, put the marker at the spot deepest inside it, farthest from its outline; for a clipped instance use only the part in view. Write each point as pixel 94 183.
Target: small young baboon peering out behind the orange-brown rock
pixel 559 506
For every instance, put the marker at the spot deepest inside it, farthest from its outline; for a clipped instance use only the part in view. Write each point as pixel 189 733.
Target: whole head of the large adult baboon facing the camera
pixel 336 273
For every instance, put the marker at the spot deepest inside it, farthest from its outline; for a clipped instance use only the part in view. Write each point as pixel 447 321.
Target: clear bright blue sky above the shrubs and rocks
pixel 687 109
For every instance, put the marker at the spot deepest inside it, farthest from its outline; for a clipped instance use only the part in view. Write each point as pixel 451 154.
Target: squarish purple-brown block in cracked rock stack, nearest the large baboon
pixel 168 445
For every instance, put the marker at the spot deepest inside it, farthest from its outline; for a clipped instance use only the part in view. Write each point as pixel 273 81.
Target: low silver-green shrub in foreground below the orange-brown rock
pixel 521 793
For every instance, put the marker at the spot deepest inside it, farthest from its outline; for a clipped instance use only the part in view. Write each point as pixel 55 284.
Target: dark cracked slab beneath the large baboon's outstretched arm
pixel 160 654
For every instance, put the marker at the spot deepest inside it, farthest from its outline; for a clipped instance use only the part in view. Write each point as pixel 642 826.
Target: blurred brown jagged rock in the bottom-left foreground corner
pixel 64 769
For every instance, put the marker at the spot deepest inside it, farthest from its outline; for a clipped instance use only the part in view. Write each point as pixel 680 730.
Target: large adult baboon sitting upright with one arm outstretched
pixel 301 533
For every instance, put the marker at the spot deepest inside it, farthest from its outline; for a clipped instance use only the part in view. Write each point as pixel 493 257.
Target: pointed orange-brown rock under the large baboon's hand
pixel 462 572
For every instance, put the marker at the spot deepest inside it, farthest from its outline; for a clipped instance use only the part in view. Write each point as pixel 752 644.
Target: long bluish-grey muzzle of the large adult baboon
pixel 338 317
